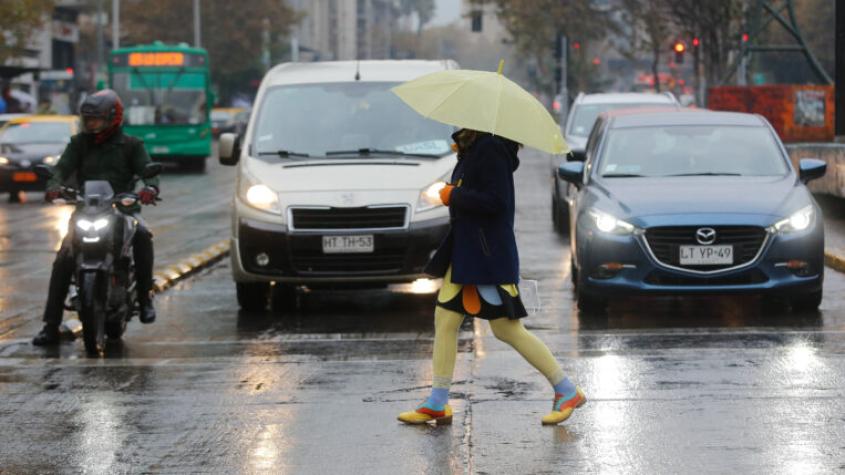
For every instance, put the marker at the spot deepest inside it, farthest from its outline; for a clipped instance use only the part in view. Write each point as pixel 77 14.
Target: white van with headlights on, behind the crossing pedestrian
pixel 337 180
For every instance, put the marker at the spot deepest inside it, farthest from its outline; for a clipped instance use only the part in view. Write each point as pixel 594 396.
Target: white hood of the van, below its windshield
pixel 365 174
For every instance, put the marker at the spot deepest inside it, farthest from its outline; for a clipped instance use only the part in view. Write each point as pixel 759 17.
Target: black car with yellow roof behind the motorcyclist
pixel 29 141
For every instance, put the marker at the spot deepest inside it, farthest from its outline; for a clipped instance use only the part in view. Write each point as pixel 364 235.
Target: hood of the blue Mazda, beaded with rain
pixel 651 201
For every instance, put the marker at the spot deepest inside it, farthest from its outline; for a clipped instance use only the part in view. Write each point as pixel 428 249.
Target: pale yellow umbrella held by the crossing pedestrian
pixel 484 101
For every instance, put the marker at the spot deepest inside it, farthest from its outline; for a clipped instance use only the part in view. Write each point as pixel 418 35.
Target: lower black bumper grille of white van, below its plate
pixel 379 262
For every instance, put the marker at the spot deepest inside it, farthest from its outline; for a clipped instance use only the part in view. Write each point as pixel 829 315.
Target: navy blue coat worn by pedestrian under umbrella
pixel 481 245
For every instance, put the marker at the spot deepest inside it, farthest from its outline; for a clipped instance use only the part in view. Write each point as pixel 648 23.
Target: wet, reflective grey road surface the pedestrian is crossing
pixel 674 386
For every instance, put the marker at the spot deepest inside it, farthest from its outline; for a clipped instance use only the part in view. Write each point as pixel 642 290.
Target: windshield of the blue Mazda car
pixel 691 150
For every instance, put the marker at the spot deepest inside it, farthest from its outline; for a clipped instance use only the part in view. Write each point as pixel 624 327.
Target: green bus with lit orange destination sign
pixel 167 99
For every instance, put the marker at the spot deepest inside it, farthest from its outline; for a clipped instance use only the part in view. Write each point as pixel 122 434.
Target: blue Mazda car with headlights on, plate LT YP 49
pixel 692 202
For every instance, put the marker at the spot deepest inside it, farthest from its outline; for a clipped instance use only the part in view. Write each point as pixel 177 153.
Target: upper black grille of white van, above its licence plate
pixel 386 217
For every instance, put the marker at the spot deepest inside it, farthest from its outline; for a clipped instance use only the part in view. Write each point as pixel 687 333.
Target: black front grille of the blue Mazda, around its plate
pixel 665 243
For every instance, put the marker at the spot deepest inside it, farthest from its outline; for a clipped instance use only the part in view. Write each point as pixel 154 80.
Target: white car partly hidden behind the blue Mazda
pixel 582 115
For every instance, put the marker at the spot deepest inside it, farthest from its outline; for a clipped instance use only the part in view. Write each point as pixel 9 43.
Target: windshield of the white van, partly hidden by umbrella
pixel 321 119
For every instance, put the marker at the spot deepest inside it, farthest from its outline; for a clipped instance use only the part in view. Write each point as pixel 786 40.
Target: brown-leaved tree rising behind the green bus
pixel 231 32
